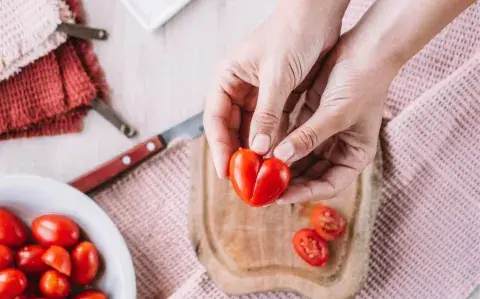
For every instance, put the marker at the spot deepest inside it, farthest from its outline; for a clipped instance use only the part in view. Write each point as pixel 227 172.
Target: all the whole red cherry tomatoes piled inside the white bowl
pixel 57 264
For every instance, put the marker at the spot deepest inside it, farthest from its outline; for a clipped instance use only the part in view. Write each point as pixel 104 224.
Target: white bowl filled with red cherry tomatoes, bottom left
pixel 55 242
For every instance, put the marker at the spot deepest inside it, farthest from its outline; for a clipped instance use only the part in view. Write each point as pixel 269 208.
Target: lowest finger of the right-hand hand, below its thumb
pixel 335 180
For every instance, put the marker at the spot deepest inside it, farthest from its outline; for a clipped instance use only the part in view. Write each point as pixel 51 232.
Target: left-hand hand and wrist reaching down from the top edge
pixel 260 82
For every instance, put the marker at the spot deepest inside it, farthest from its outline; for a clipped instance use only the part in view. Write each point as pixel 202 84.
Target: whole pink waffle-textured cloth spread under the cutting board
pixel 426 241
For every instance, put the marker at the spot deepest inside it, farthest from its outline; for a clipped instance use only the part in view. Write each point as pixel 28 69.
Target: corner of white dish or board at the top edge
pixel 154 13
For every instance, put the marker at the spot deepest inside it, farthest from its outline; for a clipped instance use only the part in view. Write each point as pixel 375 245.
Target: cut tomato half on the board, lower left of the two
pixel 310 247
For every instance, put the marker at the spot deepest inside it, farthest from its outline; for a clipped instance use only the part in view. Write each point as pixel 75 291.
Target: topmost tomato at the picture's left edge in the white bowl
pixel 12 231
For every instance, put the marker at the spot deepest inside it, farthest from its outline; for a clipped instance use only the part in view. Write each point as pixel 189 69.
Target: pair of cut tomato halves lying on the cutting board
pixel 311 244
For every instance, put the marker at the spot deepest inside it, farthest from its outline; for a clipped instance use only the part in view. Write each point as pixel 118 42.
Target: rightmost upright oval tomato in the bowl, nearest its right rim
pixel 85 263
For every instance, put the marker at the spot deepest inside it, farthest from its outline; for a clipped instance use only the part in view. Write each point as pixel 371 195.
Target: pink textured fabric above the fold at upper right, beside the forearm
pixel 444 54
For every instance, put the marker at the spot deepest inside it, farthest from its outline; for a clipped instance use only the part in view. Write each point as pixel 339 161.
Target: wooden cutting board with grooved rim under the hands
pixel 248 250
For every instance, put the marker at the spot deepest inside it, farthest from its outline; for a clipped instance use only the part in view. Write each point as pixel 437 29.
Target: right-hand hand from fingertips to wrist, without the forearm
pixel 337 132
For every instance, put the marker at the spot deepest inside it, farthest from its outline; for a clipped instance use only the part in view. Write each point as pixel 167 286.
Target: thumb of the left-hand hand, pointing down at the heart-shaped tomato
pixel 272 96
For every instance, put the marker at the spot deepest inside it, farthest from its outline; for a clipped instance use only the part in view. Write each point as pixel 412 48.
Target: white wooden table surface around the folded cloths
pixel 158 79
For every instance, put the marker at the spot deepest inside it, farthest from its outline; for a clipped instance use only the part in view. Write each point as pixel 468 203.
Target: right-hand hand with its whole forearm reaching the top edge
pixel 339 125
